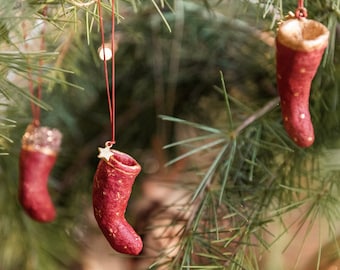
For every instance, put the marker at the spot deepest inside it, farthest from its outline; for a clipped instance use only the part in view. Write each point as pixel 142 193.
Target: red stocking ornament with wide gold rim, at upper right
pixel 300 44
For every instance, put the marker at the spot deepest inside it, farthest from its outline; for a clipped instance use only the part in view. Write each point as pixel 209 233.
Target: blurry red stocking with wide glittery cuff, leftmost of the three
pixel 40 146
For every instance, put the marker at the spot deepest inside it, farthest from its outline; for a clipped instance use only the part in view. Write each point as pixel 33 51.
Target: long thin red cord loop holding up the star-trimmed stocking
pixel 110 94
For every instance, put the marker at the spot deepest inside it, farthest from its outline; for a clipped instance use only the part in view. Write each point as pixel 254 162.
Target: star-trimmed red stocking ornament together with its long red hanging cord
pixel 115 174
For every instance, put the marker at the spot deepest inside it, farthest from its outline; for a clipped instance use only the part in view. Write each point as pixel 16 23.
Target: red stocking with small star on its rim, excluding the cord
pixel 112 186
